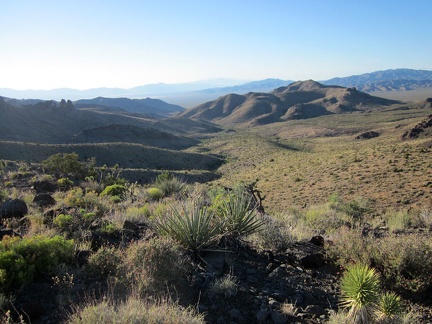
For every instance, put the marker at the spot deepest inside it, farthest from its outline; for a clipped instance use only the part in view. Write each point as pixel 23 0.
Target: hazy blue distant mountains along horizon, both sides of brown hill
pixel 193 93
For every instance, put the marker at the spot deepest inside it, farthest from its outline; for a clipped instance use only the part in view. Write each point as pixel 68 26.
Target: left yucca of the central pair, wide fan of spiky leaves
pixel 192 226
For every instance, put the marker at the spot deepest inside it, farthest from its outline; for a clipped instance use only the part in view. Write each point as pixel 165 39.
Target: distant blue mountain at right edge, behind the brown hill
pixel 388 80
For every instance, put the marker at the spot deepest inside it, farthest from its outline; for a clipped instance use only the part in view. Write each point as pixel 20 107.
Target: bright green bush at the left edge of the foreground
pixel 21 260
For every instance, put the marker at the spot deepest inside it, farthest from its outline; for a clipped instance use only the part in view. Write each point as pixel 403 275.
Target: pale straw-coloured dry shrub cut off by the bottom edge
pixel 134 310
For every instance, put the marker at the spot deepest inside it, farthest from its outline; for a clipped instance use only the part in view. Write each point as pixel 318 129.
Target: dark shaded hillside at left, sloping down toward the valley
pixel 61 123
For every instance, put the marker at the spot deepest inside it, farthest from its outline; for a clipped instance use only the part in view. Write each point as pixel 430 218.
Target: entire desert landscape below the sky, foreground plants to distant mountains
pixel 255 204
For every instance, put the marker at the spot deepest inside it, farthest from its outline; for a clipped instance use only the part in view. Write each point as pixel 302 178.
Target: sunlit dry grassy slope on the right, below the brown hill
pixel 296 168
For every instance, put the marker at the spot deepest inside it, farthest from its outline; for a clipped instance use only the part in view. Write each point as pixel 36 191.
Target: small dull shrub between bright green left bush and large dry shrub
pixel 104 262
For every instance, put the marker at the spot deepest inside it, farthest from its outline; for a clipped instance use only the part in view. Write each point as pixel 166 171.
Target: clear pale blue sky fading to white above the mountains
pixel 120 43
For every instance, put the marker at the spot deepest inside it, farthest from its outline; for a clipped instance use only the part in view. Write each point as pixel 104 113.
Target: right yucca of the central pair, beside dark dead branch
pixel 237 216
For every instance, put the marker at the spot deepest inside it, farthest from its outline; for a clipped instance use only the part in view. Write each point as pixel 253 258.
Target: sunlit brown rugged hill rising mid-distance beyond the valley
pixel 298 100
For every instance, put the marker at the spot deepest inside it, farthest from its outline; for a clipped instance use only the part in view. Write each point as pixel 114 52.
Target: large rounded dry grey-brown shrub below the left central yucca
pixel 151 267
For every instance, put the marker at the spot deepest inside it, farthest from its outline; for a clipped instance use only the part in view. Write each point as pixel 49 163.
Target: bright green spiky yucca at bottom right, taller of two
pixel 360 289
